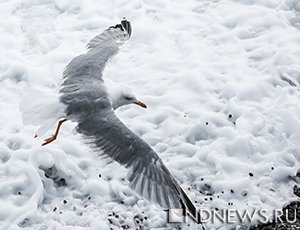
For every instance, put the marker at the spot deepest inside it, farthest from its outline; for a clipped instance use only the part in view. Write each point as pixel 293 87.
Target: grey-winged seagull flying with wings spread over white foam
pixel 87 102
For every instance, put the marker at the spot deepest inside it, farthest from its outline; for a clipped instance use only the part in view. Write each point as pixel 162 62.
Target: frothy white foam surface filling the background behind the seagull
pixel 221 80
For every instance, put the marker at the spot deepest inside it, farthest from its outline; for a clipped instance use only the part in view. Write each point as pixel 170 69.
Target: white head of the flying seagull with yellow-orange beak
pixel 123 96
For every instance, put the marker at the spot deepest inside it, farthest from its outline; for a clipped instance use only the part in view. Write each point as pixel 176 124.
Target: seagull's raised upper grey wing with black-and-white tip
pixel 83 83
